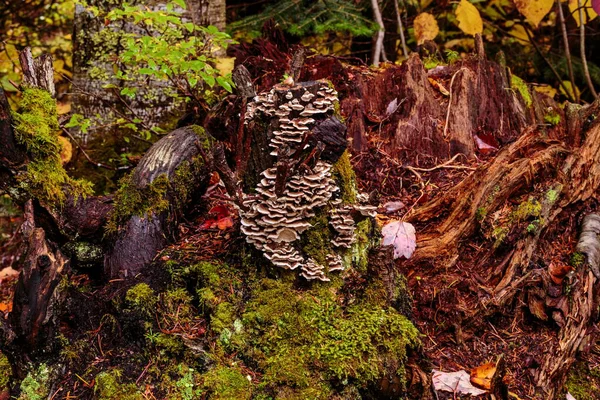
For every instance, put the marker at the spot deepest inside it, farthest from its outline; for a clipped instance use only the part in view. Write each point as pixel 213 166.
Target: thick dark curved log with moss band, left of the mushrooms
pixel 169 176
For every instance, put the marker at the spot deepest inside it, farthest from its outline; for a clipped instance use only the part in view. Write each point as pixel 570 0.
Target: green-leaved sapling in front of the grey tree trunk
pixel 164 47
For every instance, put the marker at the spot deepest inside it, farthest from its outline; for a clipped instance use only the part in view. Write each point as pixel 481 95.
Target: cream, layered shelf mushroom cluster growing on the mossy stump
pixel 274 223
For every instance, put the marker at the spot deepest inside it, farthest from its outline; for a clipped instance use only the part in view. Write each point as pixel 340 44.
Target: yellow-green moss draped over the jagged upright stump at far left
pixel 36 127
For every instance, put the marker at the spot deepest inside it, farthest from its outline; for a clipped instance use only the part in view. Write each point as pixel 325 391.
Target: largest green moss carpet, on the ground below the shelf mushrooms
pixel 304 339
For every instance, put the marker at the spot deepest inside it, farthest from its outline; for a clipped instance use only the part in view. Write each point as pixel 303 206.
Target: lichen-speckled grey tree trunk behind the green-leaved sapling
pixel 92 100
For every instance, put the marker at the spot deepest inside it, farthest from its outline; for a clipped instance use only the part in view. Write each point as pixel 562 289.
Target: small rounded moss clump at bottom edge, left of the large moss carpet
pixel 225 383
